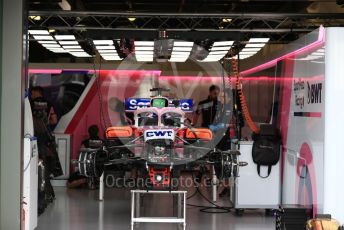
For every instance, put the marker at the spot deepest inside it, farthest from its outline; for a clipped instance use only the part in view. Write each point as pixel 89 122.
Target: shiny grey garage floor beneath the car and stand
pixel 79 209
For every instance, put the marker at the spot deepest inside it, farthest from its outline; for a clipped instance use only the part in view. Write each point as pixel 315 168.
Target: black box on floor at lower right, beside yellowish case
pixel 292 217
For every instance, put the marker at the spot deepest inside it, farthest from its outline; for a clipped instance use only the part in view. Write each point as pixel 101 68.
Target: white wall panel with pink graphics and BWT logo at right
pixel 303 170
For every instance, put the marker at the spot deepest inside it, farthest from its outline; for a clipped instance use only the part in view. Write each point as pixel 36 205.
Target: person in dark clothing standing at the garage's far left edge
pixel 43 116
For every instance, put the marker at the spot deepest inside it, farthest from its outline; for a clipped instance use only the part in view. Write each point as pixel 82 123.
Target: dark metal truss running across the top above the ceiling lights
pixel 269 24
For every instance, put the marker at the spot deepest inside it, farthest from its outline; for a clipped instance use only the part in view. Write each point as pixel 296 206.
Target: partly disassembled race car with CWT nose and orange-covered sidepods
pixel 160 144
